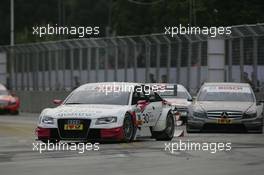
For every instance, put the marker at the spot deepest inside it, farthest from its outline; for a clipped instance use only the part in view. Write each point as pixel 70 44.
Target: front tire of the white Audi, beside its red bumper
pixel 129 129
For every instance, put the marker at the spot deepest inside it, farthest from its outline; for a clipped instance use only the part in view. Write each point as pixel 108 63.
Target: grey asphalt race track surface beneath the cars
pixel 144 156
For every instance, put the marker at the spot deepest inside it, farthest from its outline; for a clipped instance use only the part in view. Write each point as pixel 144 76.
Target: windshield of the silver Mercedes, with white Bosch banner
pixel 242 94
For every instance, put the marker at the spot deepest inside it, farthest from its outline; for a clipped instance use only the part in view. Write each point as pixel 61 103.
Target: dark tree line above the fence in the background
pixel 122 17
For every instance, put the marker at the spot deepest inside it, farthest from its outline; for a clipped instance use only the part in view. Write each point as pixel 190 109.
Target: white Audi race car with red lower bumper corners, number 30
pixel 103 111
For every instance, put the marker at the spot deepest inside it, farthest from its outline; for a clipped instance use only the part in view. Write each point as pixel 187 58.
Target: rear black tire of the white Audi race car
pixel 168 133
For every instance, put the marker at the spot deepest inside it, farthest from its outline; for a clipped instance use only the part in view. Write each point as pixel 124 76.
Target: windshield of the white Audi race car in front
pixel 97 97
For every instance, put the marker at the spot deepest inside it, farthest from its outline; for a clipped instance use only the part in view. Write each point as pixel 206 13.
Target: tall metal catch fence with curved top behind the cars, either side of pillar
pixel 63 65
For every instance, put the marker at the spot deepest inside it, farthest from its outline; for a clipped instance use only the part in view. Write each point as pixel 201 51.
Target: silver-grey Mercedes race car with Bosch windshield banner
pixel 225 107
